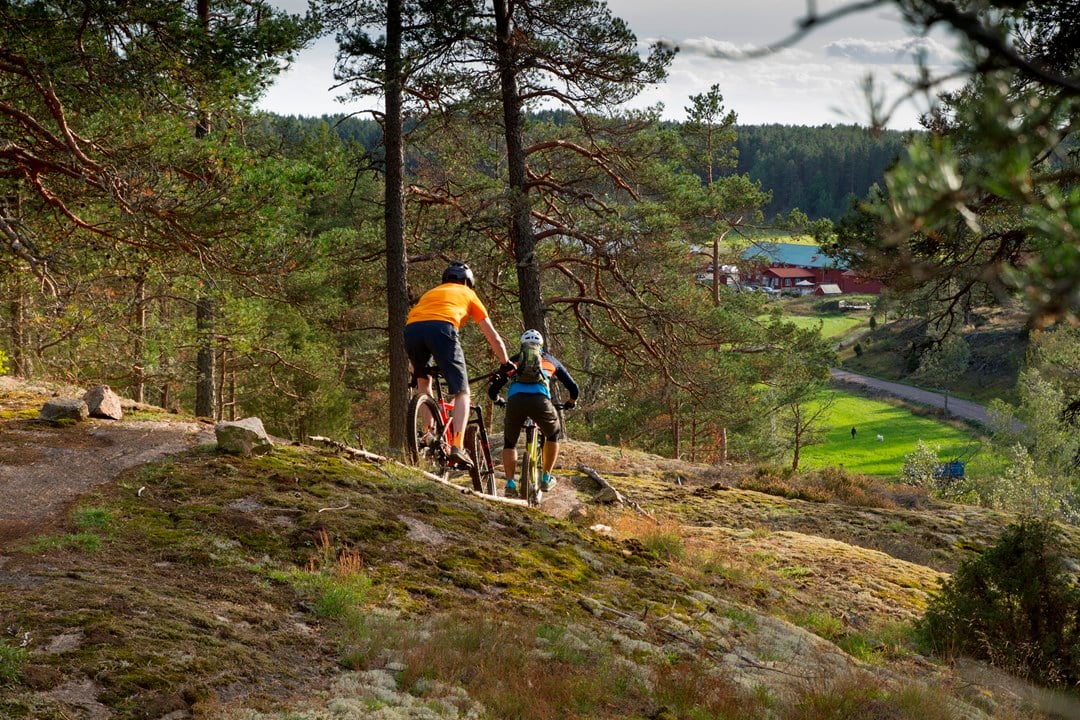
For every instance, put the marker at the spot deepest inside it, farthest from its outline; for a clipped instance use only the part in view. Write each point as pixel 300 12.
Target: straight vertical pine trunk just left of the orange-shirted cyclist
pixel 395 220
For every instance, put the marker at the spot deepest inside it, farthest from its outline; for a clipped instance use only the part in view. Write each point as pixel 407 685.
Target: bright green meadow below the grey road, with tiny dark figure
pixel 901 431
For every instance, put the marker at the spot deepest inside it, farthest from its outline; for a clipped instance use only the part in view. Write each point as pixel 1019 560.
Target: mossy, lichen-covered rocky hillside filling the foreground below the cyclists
pixel 302 585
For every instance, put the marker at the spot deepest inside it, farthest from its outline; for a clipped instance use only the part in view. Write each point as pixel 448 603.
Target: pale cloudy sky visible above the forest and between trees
pixel 816 81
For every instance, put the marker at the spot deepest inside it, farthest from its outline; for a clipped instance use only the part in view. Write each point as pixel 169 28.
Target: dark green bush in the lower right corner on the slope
pixel 1015 606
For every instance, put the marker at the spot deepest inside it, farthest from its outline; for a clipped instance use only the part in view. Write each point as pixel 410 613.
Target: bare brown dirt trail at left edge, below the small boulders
pixel 44 469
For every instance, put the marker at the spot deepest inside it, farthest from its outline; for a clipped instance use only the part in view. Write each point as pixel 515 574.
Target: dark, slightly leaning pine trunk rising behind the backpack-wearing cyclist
pixel 522 237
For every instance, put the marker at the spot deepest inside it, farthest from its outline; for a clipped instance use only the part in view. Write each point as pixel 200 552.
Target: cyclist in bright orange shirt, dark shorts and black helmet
pixel 431 331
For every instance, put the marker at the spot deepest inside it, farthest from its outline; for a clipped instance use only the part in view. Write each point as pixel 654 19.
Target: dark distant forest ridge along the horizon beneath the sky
pixel 815 170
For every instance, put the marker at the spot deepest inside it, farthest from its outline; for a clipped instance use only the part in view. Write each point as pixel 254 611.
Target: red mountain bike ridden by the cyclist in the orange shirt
pixel 428 436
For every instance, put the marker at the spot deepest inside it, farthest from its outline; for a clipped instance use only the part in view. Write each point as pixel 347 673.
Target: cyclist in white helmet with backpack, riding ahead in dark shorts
pixel 530 397
